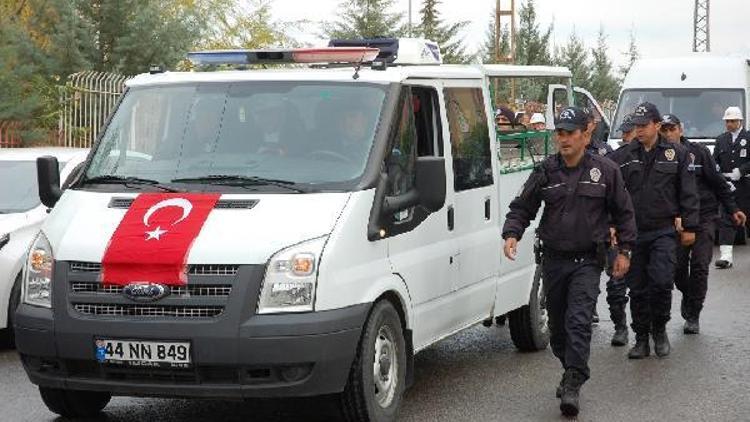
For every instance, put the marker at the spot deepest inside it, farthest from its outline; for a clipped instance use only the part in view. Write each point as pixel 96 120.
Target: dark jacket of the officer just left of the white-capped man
pixel 713 189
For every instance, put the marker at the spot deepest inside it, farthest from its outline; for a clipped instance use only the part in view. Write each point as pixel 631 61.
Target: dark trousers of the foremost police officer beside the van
pixel 571 287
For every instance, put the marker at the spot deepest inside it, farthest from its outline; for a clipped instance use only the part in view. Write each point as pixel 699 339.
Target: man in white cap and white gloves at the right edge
pixel 732 154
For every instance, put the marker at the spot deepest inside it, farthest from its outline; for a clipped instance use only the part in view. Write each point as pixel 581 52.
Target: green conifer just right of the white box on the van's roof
pixel 447 35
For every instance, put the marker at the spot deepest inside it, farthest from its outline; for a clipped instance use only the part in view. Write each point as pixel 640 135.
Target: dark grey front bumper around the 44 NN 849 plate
pixel 285 355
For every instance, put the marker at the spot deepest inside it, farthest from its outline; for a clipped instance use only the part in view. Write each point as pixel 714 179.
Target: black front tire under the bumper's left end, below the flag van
pixel 74 404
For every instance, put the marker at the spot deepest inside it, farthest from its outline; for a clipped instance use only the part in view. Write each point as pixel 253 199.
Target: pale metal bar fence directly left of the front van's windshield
pixel 86 101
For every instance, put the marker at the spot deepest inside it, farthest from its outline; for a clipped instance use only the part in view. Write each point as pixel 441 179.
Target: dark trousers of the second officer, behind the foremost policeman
pixel 651 279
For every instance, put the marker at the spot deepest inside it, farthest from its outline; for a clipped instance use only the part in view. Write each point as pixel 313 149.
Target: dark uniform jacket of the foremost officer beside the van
pixel 578 205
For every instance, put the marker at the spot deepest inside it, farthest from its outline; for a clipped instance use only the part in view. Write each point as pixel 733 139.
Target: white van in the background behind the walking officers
pixel 697 88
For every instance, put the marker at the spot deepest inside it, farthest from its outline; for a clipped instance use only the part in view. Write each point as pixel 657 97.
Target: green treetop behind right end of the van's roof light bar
pixel 366 19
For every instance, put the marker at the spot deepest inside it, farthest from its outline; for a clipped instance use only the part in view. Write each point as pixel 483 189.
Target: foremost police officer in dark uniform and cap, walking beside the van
pixel 579 190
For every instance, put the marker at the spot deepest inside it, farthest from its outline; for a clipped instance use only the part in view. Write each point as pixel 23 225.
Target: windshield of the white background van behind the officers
pixel 700 110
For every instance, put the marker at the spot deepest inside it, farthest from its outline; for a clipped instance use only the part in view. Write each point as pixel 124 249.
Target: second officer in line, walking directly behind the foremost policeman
pixel 661 183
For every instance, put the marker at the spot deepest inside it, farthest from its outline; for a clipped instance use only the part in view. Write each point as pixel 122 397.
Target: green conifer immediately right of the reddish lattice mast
pixel 532 46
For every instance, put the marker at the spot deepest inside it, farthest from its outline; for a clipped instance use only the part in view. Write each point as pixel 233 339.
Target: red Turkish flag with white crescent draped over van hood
pixel 152 242
